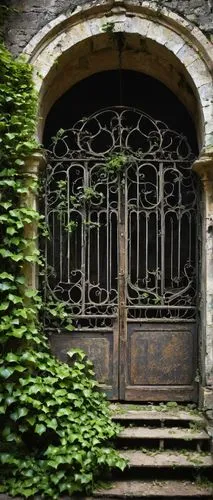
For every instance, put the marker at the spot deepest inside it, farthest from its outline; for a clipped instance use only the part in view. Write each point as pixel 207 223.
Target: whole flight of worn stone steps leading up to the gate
pixel 168 453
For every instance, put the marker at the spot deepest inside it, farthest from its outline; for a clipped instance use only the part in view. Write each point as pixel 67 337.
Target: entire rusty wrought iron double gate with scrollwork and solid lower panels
pixel 121 207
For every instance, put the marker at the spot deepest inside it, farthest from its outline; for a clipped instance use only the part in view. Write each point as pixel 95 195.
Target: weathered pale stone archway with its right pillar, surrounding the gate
pixel 160 44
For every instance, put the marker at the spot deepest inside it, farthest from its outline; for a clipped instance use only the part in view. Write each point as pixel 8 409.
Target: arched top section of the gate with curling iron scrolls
pixel 117 130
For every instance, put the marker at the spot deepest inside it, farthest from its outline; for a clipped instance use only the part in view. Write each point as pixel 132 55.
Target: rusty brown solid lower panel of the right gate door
pixel 161 361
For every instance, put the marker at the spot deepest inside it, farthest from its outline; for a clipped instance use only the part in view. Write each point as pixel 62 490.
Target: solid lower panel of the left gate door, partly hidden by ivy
pixel 100 349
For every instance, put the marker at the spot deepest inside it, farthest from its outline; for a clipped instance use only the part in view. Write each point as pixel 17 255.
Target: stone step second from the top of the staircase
pixel 156 433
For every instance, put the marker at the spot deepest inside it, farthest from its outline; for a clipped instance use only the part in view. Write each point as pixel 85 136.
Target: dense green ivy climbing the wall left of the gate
pixel 55 425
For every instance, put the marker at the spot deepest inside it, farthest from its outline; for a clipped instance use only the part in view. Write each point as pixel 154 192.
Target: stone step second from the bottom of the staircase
pixel 167 459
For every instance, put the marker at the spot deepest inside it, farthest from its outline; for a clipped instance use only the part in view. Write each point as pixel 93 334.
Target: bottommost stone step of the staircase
pixel 154 489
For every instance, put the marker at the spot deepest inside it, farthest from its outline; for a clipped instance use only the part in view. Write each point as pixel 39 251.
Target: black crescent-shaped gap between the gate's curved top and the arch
pixel 125 88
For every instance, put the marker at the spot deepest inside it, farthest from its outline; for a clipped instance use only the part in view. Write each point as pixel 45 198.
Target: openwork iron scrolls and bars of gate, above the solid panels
pixel 121 164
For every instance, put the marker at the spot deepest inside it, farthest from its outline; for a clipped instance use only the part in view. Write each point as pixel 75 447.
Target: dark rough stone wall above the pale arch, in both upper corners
pixel 30 16
